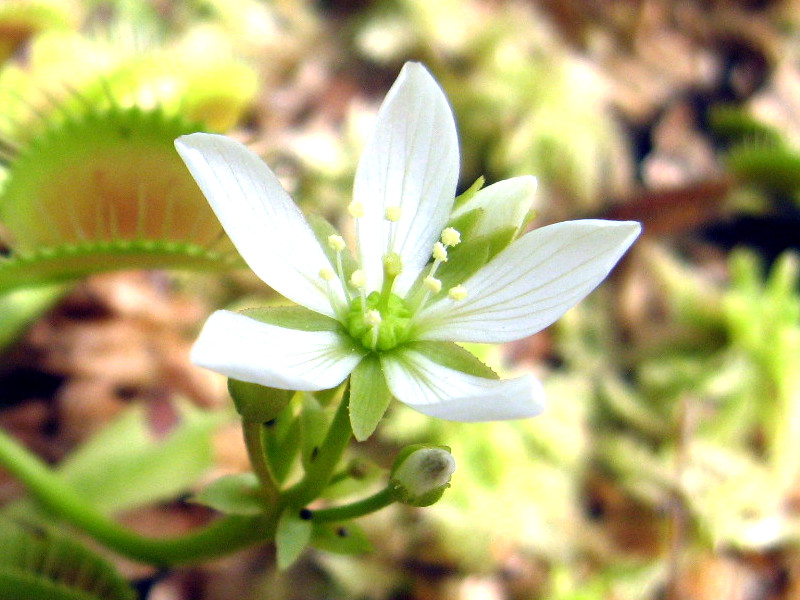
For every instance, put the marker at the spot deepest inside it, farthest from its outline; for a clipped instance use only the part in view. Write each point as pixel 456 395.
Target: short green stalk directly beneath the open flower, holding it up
pixel 320 471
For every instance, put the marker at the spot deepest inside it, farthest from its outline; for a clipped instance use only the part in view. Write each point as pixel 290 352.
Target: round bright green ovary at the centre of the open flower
pixel 394 325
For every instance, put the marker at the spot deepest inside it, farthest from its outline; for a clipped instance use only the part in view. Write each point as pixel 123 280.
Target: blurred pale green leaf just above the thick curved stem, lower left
pixel 125 465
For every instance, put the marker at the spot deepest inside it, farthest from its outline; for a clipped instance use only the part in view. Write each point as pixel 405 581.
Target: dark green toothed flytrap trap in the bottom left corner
pixel 36 563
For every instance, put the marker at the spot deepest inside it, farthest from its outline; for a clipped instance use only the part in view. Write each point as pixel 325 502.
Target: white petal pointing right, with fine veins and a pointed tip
pixel 530 284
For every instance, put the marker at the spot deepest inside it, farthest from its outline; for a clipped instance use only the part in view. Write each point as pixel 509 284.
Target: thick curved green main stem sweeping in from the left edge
pixel 217 539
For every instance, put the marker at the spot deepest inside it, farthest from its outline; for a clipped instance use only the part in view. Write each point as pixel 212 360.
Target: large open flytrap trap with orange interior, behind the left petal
pixel 106 191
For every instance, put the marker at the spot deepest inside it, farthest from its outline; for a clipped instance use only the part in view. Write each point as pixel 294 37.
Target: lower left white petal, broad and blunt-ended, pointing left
pixel 243 348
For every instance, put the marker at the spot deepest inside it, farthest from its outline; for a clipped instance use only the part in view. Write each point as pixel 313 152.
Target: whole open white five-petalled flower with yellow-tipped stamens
pixel 389 318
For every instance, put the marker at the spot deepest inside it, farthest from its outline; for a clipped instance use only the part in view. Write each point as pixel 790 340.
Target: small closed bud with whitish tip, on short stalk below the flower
pixel 421 473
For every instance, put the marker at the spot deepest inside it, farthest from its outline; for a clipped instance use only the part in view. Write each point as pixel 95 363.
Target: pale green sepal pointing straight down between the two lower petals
pixel 369 397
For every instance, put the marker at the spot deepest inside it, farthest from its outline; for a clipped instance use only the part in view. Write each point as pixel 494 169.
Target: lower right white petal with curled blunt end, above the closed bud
pixel 442 392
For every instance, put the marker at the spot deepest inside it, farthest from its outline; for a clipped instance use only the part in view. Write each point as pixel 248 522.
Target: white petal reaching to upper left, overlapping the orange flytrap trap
pixel 263 222
